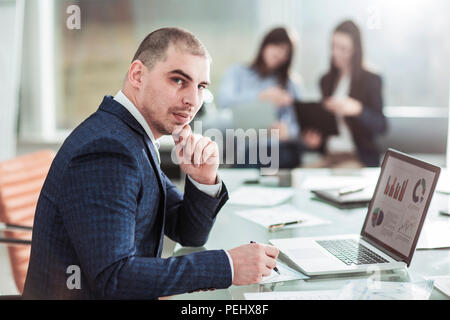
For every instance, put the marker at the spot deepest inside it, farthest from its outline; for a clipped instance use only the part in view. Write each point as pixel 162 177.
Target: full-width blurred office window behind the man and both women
pixel 406 42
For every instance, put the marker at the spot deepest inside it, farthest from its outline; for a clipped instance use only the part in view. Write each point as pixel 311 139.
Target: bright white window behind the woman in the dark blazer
pixel 406 41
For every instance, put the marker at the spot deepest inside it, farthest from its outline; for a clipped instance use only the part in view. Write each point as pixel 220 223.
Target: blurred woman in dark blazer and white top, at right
pixel 354 95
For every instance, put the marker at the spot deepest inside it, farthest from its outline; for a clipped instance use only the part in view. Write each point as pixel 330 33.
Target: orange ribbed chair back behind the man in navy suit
pixel 21 181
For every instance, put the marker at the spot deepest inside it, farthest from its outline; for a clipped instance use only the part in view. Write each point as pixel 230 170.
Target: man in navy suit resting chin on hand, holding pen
pixel 106 205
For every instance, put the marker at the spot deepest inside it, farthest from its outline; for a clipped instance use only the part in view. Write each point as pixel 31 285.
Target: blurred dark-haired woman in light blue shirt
pixel 267 79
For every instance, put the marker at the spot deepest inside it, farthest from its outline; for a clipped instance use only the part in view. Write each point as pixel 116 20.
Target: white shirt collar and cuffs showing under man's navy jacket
pixel 211 190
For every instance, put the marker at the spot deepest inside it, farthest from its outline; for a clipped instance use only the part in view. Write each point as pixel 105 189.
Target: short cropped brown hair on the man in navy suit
pixel 154 47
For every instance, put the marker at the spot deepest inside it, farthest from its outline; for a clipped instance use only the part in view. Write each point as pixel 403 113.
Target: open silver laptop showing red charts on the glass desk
pixel 390 231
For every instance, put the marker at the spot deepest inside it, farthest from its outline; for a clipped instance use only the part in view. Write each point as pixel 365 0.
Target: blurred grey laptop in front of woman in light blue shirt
pixel 254 115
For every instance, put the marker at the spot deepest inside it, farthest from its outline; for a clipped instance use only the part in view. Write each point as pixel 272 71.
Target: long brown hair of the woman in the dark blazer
pixel 351 29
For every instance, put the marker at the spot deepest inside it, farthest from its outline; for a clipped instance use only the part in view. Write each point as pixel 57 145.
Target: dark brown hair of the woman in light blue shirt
pixel 276 36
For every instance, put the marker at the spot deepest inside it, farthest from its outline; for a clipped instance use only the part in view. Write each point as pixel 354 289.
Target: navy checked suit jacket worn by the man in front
pixel 104 209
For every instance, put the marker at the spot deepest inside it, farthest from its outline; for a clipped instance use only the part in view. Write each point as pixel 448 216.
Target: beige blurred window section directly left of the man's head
pixel 93 60
